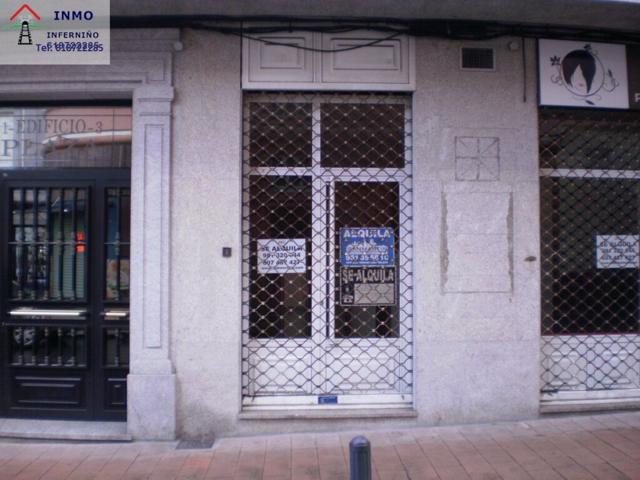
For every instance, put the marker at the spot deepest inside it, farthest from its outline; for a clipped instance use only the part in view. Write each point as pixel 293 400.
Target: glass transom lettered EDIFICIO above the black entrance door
pixel 61 137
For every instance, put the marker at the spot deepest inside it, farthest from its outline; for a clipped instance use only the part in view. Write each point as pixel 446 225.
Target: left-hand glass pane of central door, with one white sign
pixel 280 222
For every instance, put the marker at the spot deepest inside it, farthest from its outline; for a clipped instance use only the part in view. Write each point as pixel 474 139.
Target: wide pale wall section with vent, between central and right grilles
pixel 476 218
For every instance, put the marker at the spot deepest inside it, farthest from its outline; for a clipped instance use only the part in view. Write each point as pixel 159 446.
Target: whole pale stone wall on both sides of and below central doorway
pixel 476 223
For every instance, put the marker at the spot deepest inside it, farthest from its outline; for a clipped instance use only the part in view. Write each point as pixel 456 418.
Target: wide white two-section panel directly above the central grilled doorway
pixel 387 65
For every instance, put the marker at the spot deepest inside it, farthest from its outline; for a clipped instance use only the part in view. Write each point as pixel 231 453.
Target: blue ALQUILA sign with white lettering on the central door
pixel 363 246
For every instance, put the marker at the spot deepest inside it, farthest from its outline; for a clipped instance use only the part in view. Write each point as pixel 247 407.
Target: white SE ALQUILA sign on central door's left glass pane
pixel 282 255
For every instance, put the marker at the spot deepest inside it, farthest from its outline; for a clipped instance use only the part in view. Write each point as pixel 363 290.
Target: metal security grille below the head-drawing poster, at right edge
pixel 590 201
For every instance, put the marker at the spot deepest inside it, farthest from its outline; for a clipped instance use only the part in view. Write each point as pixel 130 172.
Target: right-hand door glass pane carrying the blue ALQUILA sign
pixel 371 205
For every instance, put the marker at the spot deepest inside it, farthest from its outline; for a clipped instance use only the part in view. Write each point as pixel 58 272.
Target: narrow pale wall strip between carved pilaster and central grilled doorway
pixel 206 203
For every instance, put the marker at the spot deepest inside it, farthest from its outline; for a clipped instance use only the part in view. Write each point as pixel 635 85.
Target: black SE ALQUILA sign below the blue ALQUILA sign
pixel 367 286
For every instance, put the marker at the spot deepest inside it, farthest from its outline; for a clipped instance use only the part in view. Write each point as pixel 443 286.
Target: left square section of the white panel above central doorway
pixel 277 62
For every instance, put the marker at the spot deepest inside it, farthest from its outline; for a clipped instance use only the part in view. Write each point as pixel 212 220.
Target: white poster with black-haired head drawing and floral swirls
pixel 582 74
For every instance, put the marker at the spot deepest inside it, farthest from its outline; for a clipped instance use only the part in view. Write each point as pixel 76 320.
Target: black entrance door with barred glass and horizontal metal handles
pixel 64 302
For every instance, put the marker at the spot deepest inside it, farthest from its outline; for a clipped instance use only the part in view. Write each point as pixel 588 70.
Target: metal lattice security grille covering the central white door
pixel 315 324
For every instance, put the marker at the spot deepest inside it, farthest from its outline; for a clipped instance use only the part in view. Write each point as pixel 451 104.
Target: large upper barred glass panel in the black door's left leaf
pixel 48 259
